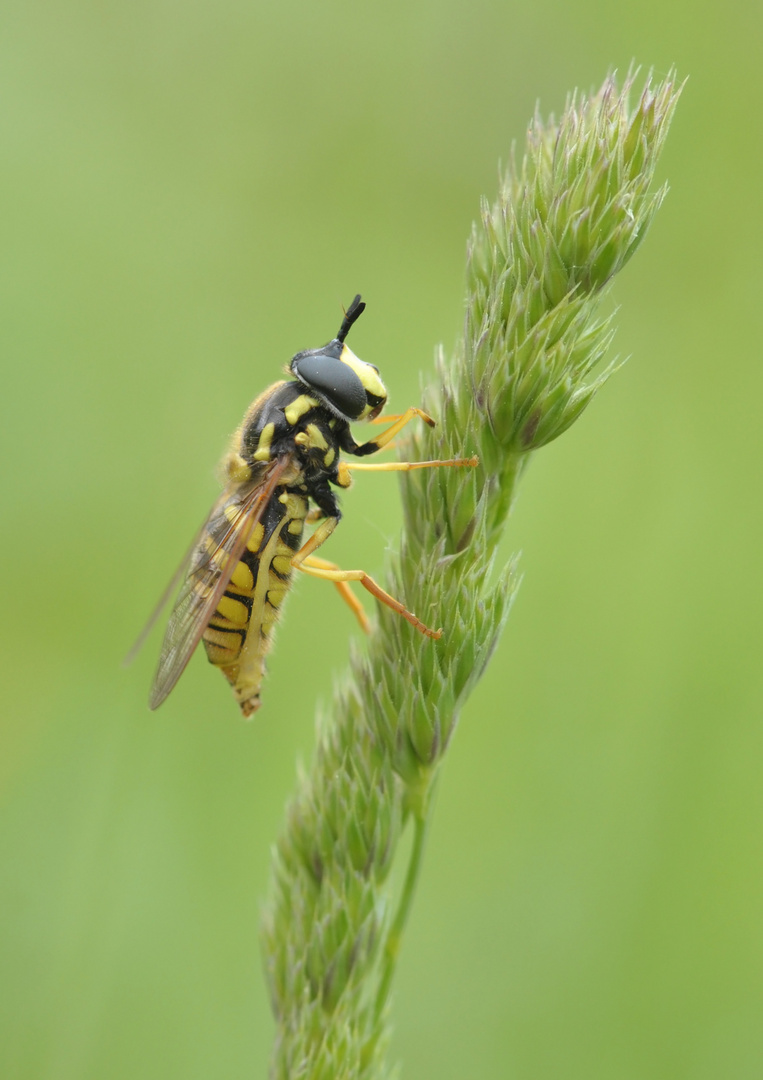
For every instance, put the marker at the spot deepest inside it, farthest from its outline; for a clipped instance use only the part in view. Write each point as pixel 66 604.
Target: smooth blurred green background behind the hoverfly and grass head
pixel 190 194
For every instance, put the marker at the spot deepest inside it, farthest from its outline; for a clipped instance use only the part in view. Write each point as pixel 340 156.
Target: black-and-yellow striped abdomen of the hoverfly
pixel 239 634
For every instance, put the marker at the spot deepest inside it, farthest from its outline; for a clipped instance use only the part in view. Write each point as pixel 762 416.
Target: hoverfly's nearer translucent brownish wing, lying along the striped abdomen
pixel 212 562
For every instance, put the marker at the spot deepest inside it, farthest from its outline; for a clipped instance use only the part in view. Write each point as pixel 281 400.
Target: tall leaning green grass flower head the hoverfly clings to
pixel 569 217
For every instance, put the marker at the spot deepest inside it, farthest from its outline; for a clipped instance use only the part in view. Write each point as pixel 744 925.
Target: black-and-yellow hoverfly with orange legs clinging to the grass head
pixel 280 470
